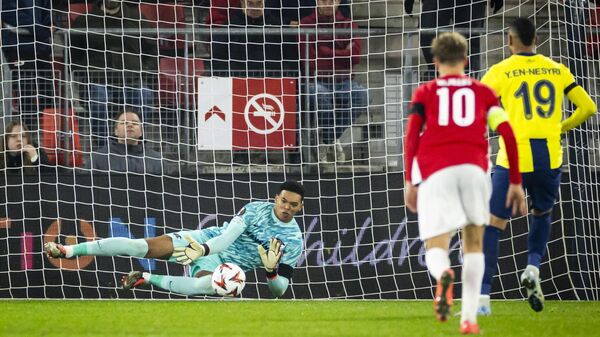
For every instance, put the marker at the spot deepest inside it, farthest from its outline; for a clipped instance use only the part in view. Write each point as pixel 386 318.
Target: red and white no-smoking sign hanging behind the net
pixel 246 113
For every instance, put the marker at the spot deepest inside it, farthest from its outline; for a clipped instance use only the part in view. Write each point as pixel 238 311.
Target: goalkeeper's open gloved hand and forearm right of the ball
pixel 278 274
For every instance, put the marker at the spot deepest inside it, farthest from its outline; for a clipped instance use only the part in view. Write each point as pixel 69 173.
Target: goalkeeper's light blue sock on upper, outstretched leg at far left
pixel 111 247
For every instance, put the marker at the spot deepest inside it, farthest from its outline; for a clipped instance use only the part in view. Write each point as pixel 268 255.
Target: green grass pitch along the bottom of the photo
pixel 283 318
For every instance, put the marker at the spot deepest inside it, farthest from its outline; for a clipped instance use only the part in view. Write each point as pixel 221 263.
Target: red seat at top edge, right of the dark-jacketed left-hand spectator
pixel 166 16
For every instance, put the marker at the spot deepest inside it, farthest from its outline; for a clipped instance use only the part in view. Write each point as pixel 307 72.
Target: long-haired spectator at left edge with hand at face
pixel 18 151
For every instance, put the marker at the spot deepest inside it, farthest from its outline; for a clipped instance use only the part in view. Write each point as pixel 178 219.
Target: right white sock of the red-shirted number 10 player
pixel 472 273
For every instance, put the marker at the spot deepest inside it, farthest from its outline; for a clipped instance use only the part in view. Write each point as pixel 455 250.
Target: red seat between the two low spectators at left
pixel 61 151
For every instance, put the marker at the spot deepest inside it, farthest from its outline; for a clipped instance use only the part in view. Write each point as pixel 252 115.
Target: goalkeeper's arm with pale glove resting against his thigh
pixel 193 251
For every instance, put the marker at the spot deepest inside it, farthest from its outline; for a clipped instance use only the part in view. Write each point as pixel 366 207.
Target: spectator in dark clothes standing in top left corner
pixel 26 44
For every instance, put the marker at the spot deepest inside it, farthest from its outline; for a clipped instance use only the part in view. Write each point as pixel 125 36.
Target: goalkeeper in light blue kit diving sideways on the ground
pixel 262 234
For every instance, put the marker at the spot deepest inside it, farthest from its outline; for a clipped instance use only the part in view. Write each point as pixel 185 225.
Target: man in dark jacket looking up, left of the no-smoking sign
pixel 127 152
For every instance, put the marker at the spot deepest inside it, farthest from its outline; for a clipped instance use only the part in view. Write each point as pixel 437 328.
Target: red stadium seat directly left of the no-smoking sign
pixel 174 78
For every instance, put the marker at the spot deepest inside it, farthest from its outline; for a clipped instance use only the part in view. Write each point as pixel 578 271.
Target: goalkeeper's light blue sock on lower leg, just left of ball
pixel 182 285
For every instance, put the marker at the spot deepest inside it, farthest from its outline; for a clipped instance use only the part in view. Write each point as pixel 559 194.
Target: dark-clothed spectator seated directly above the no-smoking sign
pixel 253 55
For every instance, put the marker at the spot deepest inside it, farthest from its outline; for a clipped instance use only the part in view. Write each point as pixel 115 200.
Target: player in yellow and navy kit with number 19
pixel 531 89
